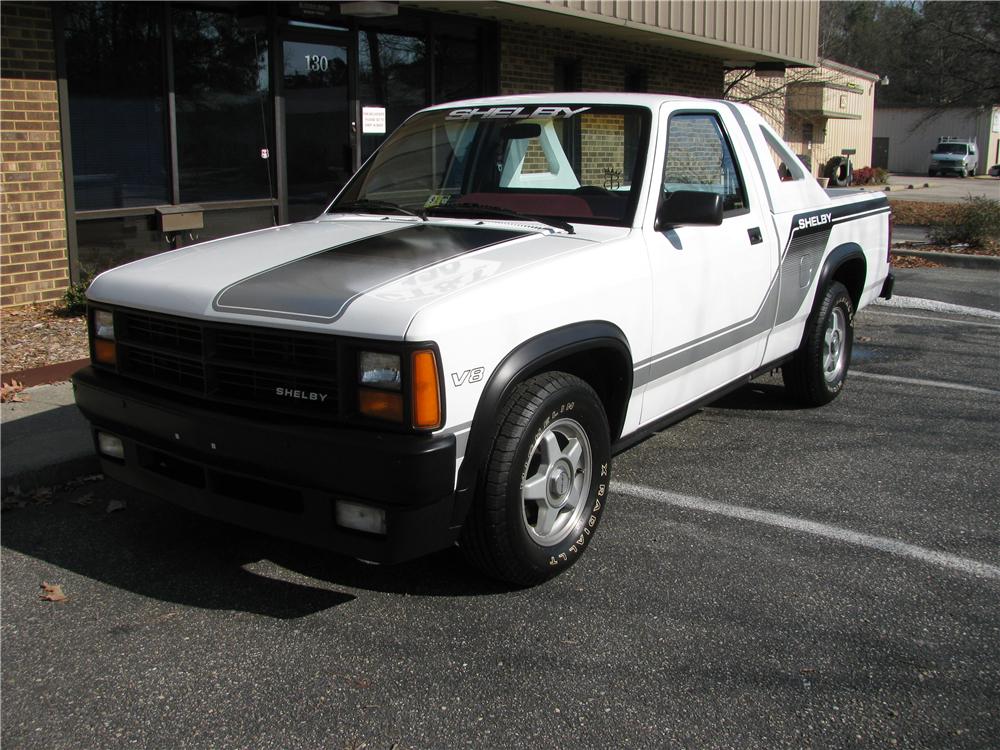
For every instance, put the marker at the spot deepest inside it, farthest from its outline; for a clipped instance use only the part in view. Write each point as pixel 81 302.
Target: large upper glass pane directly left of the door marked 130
pixel 223 106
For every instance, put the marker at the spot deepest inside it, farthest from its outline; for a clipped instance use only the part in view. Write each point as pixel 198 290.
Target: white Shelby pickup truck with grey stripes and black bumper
pixel 508 293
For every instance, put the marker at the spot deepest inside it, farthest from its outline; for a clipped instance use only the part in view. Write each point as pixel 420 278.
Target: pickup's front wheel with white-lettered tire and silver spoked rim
pixel 546 481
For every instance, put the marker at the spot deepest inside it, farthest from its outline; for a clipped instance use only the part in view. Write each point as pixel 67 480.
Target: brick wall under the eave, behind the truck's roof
pixel 528 55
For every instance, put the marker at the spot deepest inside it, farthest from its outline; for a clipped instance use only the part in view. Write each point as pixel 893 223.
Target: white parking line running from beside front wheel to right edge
pixel 856 538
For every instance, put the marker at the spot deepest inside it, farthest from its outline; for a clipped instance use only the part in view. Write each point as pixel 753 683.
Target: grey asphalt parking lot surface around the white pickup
pixel 765 577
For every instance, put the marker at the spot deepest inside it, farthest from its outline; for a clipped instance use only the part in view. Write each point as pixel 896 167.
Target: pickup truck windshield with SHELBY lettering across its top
pixel 575 163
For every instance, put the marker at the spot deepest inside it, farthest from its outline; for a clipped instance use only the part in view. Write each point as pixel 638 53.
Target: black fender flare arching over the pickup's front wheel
pixel 527 359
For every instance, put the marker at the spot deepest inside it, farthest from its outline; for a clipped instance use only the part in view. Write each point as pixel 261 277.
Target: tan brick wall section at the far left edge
pixel 33 251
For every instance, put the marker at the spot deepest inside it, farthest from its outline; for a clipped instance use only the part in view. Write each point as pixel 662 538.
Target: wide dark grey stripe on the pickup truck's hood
pixel 320 287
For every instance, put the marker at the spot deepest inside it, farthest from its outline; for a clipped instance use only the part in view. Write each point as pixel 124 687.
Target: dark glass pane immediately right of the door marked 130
pixel 392 74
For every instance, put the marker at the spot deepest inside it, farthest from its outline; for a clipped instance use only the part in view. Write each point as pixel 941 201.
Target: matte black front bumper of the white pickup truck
pixel 277 477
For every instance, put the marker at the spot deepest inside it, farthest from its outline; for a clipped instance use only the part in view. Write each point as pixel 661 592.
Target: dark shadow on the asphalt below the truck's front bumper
pixel 163 552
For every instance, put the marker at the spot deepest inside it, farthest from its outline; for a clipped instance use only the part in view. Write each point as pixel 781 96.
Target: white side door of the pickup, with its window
pixel 711 284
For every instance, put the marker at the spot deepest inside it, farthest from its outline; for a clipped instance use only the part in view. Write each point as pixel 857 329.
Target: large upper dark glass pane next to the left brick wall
pixel 115 76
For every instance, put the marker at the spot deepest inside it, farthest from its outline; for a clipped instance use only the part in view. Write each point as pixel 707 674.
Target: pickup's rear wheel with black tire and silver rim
pixel 816 374
